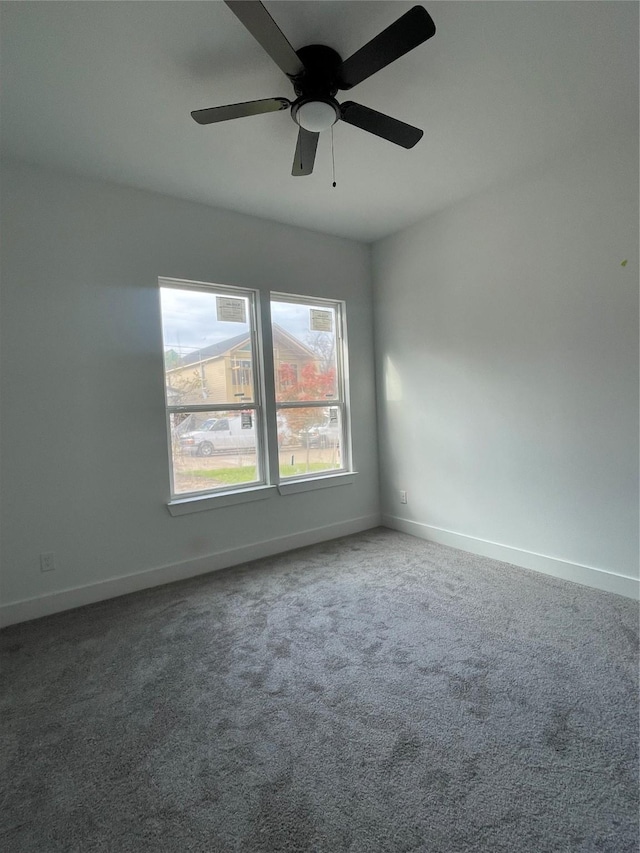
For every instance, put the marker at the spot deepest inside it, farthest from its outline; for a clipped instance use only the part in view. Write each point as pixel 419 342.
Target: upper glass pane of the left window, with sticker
pixel 207 347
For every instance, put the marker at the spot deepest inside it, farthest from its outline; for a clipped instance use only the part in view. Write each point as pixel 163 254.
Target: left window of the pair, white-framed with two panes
pixel 214 407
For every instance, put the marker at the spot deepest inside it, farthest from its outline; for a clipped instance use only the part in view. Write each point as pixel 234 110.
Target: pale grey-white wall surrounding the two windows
pixel 84 461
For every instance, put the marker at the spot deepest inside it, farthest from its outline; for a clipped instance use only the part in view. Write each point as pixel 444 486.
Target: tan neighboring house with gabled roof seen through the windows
pixel 222 372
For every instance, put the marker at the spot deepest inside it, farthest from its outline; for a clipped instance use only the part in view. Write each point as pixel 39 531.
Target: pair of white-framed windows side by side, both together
pixel 222 438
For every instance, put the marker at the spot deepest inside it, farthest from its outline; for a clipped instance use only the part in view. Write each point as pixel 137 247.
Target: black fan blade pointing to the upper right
pixel 410 30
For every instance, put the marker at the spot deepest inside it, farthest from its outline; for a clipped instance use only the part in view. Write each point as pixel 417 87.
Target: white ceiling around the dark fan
pixel 106 88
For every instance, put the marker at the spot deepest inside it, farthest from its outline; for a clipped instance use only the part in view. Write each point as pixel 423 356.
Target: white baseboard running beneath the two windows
pixel 34 608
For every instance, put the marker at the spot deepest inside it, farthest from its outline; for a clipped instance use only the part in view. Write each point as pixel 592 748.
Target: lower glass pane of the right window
pixel 309 440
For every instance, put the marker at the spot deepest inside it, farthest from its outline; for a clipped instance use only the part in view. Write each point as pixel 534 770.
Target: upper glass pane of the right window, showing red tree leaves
pixel 304 351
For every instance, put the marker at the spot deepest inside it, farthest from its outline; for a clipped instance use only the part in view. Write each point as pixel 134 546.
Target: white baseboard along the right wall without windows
pixel 585 575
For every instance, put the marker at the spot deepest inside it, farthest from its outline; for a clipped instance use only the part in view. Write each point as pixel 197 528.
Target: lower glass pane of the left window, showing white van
pixel 213 450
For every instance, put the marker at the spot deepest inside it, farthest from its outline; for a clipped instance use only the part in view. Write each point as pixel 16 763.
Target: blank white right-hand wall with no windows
pixel 507 355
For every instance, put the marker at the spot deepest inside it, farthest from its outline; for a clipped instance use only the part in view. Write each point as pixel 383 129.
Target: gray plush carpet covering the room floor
pixel 375 694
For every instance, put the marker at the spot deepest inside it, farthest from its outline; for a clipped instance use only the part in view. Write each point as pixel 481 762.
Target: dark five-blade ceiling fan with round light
pixel 317 72
